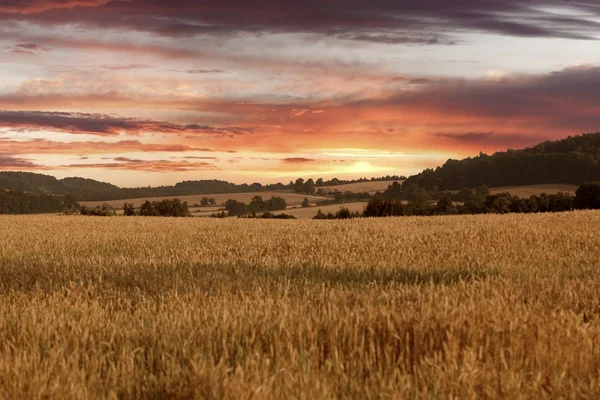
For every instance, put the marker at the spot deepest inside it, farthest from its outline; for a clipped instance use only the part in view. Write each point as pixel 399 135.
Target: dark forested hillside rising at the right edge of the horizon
pixel 574 160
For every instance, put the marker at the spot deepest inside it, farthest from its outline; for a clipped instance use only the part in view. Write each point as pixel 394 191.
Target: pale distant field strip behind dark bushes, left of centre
pixel 291 198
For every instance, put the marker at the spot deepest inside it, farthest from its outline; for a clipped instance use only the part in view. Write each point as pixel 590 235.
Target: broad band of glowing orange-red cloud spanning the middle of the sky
pixel 449 115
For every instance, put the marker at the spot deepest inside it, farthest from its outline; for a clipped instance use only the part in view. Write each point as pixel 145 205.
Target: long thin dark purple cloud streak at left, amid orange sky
pixel 105 125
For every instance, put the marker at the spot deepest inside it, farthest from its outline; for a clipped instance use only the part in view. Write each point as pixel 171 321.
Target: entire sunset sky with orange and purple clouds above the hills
pixel 153 92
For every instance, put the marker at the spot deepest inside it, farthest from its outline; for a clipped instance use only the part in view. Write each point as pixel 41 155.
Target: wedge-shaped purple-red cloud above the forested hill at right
pixel 567 99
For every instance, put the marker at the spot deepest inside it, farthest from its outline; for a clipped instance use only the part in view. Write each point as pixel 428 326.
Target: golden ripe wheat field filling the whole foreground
pixel 485 306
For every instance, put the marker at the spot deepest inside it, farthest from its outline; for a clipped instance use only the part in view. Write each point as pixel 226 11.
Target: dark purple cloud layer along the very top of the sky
pixel 384 21
